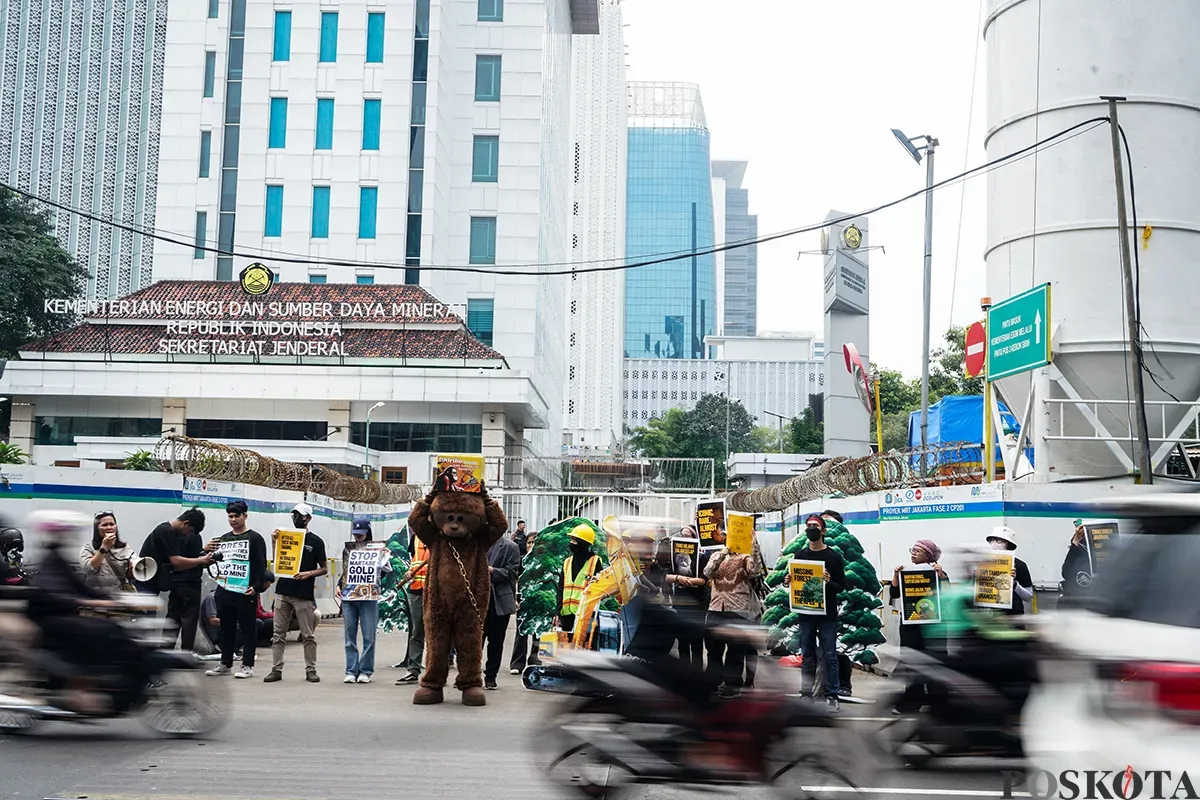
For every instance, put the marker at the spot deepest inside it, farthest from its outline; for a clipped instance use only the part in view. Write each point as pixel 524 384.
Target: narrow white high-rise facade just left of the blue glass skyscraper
pixel 597 310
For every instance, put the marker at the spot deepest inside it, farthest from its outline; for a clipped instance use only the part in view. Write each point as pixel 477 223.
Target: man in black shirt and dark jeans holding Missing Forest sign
pixel 823 628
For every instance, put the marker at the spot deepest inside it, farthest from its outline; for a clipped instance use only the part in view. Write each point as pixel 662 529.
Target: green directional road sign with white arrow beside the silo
pixel 1019 334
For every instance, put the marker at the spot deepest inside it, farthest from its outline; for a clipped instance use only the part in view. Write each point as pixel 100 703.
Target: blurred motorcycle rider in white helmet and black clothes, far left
pixel 86 643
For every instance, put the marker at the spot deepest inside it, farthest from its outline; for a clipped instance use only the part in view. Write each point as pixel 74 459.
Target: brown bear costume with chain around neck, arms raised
pixel 459 528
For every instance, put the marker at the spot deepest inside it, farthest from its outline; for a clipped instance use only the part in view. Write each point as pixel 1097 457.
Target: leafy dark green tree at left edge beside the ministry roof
pixel 33 269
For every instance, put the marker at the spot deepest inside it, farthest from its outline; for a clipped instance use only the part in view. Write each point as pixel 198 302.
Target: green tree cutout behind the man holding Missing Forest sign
pixel 859 627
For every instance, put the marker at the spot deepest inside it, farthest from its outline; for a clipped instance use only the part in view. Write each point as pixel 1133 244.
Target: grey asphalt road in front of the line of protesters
pixel 295 741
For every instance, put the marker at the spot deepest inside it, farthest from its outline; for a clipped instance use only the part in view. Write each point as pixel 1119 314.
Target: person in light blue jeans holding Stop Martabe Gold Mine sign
pixel 363 567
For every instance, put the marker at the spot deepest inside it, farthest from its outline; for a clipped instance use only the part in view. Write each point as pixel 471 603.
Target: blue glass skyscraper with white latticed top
pixel 670 308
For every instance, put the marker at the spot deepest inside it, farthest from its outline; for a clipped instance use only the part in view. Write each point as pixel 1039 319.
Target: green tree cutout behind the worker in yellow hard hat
pixel 543 566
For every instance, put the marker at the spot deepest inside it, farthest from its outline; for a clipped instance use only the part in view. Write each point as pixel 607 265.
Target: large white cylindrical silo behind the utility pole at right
pixel 1052 218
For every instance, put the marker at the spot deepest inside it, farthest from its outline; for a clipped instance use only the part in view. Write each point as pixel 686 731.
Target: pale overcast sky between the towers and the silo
pixel 807 93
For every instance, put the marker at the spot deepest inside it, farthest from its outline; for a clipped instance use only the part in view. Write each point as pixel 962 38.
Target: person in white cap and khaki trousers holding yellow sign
pixel 297 570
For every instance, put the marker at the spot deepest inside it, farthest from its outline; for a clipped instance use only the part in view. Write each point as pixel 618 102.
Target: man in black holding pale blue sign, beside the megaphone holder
pixel 242 575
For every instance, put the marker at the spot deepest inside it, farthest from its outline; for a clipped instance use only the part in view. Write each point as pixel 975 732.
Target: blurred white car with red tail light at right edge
pixel 1123 687
